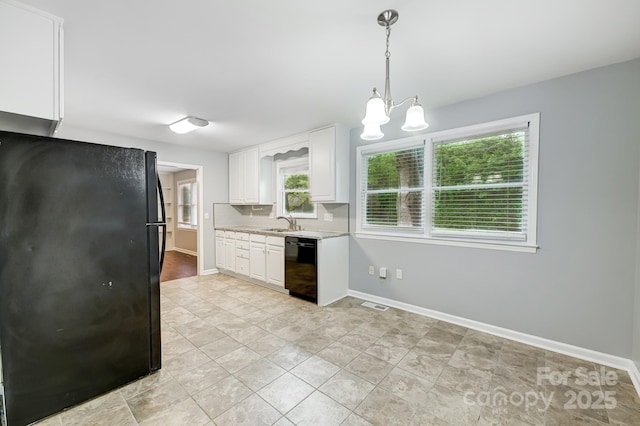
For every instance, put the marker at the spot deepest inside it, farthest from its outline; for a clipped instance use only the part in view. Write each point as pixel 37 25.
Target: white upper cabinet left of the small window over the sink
pixel 249 178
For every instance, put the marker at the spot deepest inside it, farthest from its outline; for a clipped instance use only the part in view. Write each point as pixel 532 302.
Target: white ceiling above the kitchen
pixel 260 70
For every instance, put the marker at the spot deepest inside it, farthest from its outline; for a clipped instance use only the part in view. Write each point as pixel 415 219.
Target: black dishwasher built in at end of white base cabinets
pixel 301 273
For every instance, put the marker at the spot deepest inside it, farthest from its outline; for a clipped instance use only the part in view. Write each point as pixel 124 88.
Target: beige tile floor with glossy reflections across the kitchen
pixel 239 354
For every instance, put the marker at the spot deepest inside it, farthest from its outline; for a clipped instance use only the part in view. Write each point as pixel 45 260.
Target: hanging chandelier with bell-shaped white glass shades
pixel 378 108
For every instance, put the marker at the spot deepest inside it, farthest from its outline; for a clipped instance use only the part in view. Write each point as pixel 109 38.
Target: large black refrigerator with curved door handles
pixel 79 272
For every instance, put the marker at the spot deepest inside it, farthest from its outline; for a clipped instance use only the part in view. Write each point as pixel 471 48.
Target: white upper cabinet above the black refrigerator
pixel 31 72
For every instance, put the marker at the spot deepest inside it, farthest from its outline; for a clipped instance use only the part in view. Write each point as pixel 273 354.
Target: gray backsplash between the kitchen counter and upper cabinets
pixel 264 216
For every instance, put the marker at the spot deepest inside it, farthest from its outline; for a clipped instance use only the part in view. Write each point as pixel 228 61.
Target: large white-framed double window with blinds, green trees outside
pixel 474 186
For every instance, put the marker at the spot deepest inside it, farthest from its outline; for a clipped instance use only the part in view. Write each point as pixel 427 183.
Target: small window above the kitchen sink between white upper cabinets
pixel 293 189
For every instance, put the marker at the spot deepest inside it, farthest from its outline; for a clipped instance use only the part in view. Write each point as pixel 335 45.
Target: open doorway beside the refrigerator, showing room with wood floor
pixel 183 198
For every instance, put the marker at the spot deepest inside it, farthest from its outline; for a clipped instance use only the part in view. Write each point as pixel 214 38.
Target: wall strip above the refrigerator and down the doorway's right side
pixel 214 180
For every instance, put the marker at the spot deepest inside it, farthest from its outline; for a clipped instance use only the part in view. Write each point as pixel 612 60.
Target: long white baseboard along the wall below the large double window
pixel 540 342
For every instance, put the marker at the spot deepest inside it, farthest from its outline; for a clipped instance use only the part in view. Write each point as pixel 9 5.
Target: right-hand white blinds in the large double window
pixel 479 185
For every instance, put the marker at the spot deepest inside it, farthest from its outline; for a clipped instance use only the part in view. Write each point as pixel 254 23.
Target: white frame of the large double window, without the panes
pixel 453 238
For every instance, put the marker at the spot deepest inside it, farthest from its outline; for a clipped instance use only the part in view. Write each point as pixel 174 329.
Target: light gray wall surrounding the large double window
pixel 579 287
